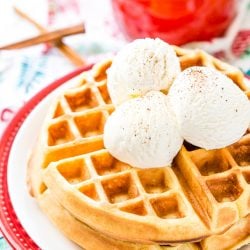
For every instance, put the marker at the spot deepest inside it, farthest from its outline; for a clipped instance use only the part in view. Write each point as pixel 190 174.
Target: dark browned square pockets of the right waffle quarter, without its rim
pixel 222 166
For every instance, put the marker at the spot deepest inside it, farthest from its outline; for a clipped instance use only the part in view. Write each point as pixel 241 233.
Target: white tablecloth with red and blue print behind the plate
pixel 24 72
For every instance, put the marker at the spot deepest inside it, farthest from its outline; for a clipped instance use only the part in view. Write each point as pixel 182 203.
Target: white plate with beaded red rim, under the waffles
pixel 21 221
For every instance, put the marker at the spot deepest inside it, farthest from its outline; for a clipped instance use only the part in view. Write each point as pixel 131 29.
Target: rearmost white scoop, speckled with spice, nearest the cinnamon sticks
pixel 142 66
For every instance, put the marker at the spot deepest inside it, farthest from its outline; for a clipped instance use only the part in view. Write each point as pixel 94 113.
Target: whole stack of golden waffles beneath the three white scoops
pixel 201 202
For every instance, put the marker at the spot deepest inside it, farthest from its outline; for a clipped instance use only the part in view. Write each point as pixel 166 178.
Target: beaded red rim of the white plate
pixel 10 227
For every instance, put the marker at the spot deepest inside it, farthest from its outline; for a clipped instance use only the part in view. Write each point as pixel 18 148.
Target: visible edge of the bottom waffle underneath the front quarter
pixel 86 237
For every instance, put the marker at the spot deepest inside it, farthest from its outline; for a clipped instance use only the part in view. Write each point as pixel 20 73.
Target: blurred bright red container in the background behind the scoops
pixel 175 21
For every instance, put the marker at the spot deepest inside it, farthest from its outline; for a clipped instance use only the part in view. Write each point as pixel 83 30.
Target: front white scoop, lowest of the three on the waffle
pixel 143 132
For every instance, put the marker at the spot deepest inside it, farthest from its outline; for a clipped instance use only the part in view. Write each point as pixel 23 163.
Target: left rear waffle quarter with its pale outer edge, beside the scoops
pixel 73 126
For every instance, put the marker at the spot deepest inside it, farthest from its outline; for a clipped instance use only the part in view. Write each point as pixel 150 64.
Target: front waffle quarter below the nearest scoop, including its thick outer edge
pixel 123 202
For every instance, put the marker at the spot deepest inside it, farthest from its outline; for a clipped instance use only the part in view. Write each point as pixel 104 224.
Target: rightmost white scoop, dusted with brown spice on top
pixel 212 112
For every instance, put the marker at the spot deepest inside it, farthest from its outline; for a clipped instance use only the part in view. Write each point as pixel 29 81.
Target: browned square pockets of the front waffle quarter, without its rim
pixel 108 181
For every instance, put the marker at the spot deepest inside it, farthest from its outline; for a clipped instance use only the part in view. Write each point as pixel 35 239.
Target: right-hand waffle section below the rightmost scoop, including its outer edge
pixel 224 181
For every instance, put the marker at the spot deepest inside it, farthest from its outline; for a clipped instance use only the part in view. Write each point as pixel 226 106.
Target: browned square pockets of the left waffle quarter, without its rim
pixel 80 113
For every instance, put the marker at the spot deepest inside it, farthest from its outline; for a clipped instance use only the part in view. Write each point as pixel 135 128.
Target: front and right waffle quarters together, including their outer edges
pixel 100 188
